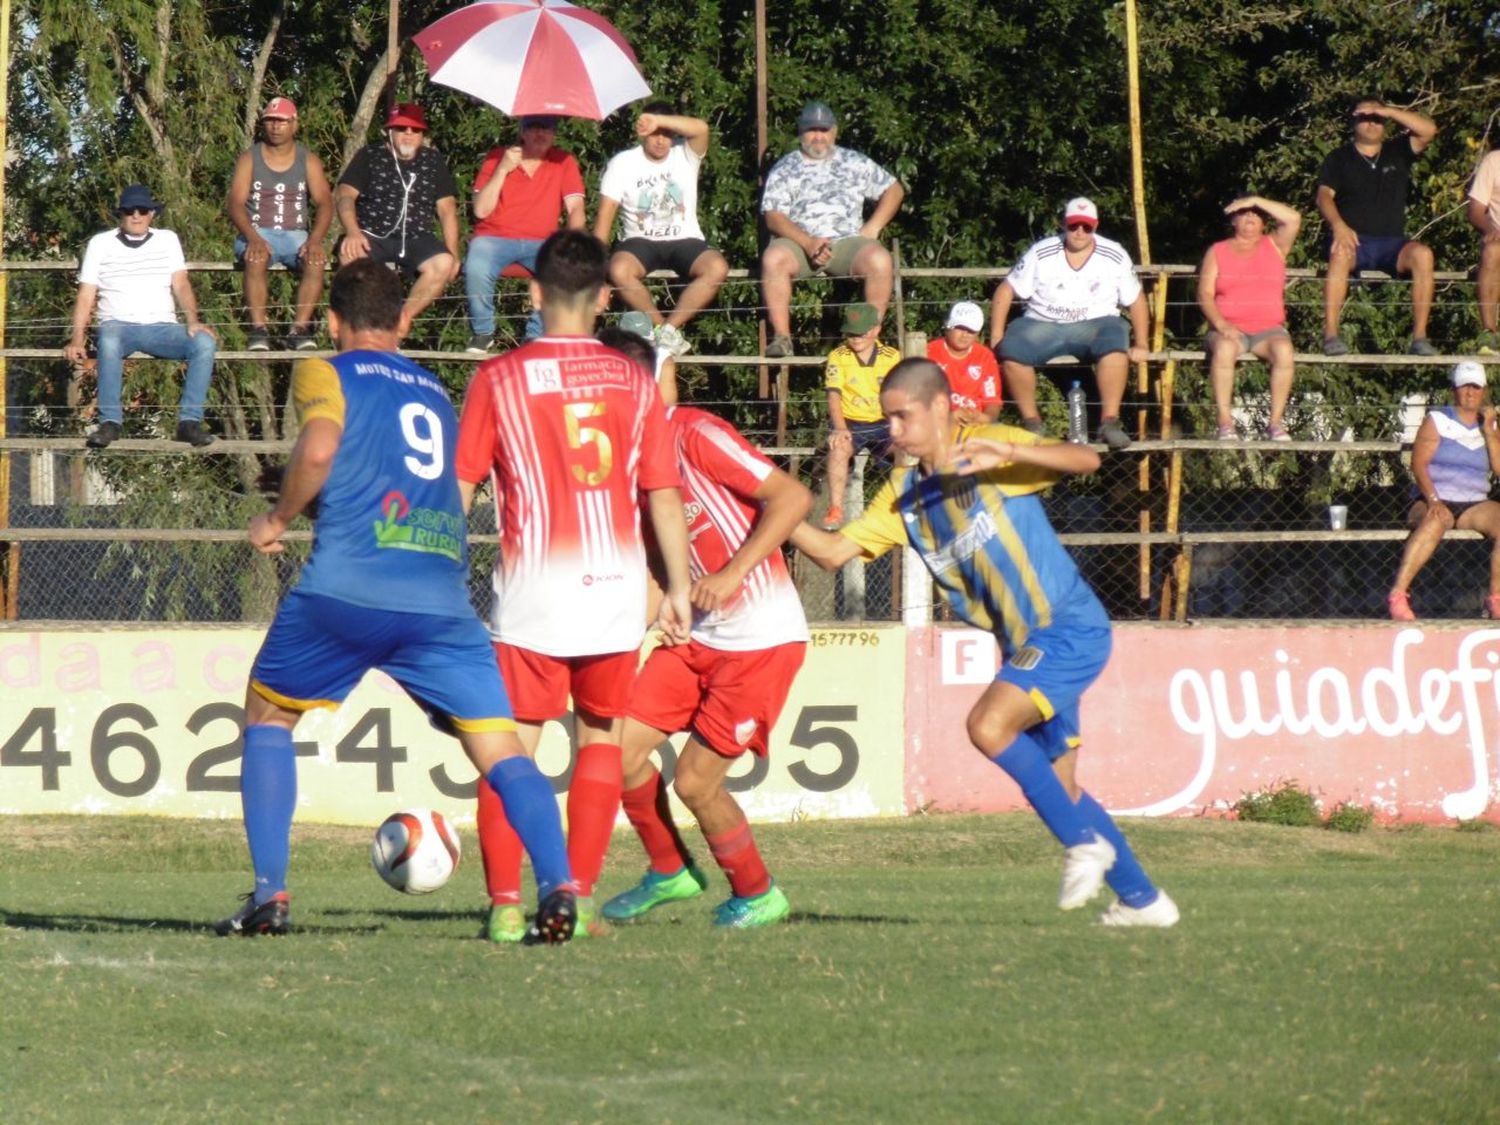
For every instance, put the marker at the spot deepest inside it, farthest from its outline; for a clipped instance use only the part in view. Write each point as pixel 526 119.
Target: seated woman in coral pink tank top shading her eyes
pixel 1241 290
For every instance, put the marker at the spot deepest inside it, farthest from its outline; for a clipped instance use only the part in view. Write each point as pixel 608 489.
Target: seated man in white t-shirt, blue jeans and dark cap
pixel 136 275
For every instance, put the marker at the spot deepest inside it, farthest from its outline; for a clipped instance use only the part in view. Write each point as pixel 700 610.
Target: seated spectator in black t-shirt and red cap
pixel 386 200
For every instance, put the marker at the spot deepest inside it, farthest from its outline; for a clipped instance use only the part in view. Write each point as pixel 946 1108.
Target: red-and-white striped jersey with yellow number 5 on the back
pixel 572 433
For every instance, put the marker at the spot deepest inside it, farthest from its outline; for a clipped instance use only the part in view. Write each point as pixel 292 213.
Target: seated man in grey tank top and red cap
pixel 269 193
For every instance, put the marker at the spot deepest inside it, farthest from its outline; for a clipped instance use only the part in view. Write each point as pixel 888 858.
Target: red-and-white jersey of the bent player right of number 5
pixel 721 475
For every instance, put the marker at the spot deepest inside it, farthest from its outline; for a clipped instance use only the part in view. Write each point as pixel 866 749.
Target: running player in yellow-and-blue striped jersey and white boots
pixel 970 508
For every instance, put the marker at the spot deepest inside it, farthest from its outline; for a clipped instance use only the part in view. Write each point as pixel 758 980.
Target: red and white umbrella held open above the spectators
pixel 533 58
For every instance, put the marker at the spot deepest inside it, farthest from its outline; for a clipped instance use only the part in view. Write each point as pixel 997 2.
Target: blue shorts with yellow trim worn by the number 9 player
pixel 319 649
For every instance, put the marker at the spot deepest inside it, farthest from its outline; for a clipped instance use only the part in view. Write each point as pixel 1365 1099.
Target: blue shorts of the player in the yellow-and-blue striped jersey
pixel 1055 668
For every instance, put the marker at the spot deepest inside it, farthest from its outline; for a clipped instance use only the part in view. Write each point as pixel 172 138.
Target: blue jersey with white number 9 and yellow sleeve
pixel 391 532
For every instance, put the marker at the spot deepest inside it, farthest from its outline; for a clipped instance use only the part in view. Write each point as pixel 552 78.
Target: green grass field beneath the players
pixel 926 974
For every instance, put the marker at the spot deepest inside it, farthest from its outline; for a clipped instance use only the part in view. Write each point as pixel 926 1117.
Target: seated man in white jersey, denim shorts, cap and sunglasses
pixel 1075 284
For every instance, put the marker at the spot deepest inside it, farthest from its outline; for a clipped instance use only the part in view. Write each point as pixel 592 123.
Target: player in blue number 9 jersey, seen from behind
pixel 386 587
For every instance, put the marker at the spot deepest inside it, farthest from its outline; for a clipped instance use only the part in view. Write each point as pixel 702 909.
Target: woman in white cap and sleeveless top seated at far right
pixel 1454 460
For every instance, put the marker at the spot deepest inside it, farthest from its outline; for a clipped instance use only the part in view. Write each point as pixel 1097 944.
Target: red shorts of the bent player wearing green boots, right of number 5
pixel 730 700
